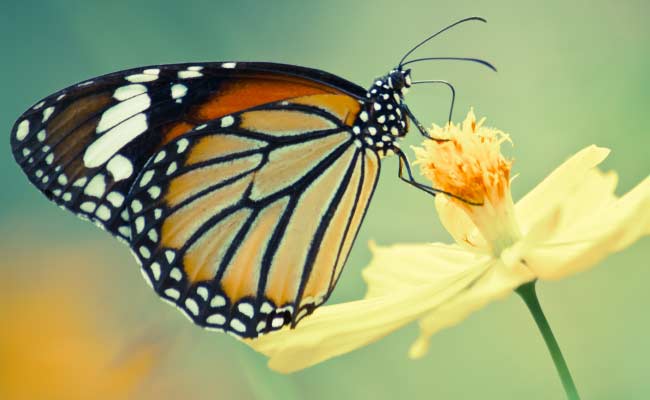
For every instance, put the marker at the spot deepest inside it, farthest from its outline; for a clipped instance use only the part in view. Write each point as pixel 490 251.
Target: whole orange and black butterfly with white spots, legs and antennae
pixel 239 186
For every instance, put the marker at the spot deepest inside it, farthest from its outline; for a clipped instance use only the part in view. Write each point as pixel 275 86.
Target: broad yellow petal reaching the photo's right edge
pixel 603 227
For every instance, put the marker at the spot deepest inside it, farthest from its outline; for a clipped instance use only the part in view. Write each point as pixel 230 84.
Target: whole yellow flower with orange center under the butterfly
pixel 568 223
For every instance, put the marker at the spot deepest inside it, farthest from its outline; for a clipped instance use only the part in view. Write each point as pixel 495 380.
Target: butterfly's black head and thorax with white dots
pixel 382 120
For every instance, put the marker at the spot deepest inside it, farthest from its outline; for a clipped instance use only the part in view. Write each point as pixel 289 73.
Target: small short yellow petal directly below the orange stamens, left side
pixel 459 225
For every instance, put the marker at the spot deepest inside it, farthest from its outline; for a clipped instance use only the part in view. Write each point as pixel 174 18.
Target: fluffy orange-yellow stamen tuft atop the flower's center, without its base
pixel 465 161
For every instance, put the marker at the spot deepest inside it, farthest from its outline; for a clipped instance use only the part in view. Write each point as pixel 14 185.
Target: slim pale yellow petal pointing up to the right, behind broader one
pixel 556 187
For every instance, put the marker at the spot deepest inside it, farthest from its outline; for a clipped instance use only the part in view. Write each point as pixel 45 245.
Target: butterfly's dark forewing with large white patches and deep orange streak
pixel 84 146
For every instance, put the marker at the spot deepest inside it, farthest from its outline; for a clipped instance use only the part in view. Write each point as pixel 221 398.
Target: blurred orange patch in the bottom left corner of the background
pixel 53 341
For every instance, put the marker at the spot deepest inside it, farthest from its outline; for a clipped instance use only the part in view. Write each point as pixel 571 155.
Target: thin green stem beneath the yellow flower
pixel 528 294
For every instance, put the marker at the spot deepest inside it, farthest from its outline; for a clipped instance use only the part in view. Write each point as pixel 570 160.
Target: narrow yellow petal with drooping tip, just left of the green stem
pixel 497 281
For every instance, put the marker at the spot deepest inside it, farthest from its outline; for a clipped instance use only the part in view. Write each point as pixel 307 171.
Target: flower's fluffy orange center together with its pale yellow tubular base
pixel 468 164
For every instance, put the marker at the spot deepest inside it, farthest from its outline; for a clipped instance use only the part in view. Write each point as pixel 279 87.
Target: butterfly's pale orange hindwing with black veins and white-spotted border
pixel 246 221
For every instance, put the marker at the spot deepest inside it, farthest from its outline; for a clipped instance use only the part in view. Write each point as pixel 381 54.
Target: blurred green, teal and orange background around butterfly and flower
pixel 570 74
